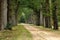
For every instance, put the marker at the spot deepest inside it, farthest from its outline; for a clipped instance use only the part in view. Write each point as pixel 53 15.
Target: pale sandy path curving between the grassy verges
pixel 41 35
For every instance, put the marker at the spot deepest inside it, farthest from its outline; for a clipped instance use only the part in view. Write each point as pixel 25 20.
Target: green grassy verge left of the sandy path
pixel 17 33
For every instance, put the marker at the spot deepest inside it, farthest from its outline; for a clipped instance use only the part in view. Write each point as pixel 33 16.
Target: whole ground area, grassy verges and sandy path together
pixel 30 32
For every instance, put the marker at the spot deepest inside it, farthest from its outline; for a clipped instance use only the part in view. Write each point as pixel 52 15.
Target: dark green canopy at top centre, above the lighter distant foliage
pixel 32 3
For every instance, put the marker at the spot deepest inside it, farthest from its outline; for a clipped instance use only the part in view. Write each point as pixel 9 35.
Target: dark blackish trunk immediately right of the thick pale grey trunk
pixel 9 17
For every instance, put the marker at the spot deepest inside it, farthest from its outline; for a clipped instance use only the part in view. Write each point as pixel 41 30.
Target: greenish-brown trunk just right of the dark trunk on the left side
pixel 13 16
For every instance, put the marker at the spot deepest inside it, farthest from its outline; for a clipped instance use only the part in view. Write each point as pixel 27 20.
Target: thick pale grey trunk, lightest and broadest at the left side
pixel 4 14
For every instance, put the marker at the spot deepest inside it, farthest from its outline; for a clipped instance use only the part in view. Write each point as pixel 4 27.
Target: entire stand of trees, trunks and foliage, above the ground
pixel 44 13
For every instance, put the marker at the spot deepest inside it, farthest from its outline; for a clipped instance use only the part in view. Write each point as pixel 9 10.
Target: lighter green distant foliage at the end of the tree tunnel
pixel 27 13
